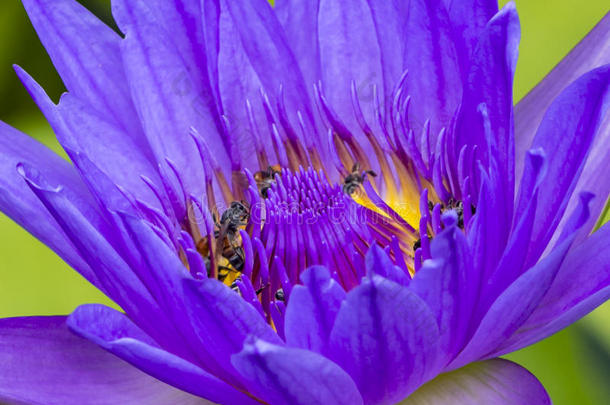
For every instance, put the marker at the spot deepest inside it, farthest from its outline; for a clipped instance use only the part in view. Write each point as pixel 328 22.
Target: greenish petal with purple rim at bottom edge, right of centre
pixel 491 382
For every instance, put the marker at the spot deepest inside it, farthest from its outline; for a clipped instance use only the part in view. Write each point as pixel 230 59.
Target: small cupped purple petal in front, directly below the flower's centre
pixel 312 310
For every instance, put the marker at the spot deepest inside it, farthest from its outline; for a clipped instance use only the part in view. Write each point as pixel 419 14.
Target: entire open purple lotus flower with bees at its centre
pixel 317 203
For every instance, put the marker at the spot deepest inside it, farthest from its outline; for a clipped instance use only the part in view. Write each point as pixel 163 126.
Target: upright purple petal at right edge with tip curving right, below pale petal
pixel 565 134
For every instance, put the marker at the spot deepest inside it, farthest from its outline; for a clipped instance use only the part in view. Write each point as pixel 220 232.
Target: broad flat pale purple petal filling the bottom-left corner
pixel 43 362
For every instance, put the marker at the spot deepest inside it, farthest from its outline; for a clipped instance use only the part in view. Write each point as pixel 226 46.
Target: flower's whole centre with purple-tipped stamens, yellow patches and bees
pixel 311 205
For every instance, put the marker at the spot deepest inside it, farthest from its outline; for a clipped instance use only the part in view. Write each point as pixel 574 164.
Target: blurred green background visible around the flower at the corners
pixel 574 365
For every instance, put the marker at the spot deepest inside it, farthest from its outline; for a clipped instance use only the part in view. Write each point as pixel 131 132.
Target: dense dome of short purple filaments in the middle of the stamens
pixel 308 221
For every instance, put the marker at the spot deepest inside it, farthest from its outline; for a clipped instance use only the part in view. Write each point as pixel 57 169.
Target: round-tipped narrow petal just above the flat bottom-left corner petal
pixel 116 333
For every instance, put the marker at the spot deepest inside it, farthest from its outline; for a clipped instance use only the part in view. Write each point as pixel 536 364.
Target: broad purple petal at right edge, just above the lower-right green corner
pixel 582 283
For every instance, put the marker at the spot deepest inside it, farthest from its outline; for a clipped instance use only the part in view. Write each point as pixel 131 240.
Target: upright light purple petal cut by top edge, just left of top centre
pixel 254 63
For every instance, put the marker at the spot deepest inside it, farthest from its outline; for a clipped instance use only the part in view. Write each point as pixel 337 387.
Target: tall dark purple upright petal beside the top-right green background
pixel 485 118
